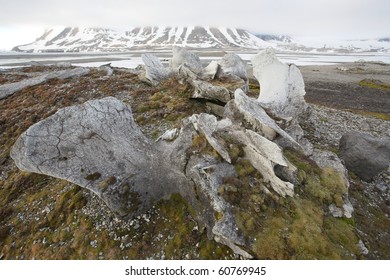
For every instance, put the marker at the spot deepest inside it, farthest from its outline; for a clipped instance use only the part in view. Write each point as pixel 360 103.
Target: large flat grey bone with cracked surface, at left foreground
pixel 97 145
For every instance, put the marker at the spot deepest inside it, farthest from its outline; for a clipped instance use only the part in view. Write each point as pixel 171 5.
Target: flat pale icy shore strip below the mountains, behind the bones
pixel 14 59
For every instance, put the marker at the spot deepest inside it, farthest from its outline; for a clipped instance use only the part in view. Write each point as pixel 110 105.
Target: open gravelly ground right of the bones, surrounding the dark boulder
pixel 354 97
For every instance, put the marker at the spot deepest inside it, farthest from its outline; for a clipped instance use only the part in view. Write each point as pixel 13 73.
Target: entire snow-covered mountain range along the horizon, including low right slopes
pixel 75 39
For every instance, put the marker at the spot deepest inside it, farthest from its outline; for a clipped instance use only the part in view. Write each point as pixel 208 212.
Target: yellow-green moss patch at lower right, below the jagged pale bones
pixel 299 227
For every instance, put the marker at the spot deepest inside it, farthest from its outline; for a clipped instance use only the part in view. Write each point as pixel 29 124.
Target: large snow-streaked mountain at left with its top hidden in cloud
pixel 74 39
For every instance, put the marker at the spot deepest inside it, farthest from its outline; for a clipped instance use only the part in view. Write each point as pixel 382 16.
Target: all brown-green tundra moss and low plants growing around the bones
pixel 47 218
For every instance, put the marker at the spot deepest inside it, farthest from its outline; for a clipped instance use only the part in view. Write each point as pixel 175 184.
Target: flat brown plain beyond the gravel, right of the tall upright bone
pixel 359 87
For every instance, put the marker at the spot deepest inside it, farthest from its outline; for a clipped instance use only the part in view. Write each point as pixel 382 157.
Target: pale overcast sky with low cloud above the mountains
pixel 21 21
